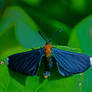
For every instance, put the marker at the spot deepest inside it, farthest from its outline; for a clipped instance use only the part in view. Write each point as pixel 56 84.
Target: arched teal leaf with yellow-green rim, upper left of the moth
pixel 24 27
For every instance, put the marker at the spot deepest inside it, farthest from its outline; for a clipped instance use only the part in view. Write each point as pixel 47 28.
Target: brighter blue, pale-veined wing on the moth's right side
pixel 70 63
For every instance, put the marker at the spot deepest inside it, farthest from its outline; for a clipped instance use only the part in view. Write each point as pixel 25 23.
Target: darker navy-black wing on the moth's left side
pixel 26 62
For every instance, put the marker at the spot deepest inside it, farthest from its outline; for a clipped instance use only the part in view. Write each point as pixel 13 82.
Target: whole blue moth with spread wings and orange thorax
pixel 68 63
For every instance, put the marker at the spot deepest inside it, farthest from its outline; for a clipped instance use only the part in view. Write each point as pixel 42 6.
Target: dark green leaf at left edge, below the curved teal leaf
pixel 8 41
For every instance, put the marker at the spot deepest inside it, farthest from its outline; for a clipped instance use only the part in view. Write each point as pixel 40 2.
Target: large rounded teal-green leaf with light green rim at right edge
pixel 81 36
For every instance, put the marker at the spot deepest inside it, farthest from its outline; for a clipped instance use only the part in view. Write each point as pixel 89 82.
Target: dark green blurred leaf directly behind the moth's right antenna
pixel 49 27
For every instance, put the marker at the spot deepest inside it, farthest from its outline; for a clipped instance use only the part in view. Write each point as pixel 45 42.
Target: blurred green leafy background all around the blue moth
pixel 20 21
